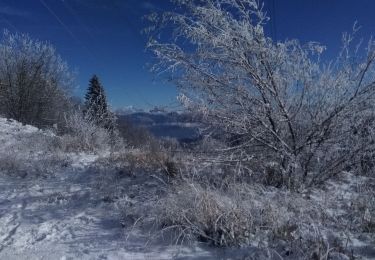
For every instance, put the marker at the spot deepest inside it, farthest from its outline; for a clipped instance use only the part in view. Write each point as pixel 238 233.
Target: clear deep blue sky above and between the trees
pixel 104 37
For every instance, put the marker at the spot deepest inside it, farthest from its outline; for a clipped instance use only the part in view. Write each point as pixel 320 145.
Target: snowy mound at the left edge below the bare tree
pixel 28 151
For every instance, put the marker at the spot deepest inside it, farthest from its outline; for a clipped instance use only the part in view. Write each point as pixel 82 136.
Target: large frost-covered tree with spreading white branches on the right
pixel 283 106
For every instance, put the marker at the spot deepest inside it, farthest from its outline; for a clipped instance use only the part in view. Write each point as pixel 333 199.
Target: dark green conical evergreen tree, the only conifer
pixel 96 107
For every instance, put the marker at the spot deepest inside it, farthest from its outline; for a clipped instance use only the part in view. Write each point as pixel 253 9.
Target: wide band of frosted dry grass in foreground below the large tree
pixel 243 216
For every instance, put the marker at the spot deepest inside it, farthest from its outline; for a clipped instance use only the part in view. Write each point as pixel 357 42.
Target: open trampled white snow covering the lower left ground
pixel 65 214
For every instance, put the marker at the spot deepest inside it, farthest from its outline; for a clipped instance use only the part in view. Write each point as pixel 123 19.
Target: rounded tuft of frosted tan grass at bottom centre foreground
pixel 209 216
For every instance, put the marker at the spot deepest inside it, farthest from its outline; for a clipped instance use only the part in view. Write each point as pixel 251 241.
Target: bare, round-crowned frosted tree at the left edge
pixel 34 80
